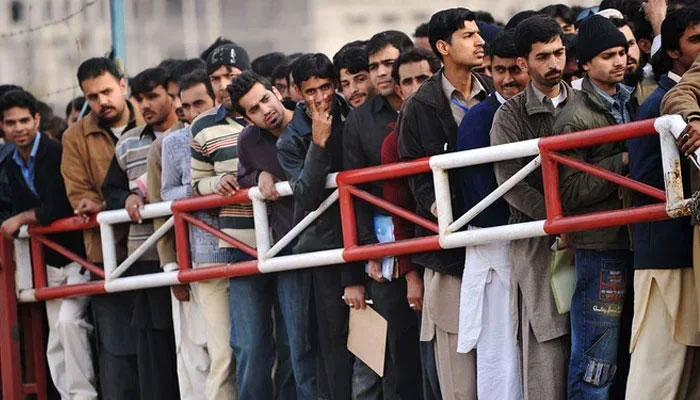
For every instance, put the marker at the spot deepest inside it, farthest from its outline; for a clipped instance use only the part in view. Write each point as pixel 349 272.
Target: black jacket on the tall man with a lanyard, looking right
pixel 426 128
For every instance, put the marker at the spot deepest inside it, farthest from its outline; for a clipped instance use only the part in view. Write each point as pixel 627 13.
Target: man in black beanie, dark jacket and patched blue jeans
pixel 602 256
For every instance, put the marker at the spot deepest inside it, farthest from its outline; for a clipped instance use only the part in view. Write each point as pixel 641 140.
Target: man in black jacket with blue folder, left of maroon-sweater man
pixel 363 135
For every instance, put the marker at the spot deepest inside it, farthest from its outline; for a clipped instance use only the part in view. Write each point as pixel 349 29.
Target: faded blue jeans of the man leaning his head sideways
pixel 252 301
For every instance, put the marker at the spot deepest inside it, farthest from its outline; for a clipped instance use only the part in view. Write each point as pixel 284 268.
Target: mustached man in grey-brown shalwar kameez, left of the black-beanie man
pixel 543 332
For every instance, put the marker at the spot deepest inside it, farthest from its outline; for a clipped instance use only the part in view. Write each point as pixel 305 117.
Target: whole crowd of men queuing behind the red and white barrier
pixel 481 322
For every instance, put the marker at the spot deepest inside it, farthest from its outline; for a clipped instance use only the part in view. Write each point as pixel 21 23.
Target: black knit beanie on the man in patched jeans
pixel 595 35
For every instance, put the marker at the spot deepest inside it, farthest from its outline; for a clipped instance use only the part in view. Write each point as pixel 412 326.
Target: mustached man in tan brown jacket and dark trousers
pixel 88 148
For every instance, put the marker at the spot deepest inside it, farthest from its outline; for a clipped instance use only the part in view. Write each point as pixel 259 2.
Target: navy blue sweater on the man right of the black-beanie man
pixel 663 244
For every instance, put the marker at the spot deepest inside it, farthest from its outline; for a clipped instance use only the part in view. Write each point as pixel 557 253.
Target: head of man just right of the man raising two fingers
pixel 352 66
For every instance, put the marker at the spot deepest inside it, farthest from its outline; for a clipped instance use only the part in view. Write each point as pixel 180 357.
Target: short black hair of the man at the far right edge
pixel 672 29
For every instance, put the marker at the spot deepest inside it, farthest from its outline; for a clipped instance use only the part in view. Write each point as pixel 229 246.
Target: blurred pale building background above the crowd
pixel 42 42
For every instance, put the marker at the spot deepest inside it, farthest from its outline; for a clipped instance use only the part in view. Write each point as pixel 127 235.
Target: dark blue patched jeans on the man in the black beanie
pixel 596 310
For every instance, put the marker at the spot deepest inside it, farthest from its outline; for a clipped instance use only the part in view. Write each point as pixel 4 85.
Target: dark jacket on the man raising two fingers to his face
pixel 306 166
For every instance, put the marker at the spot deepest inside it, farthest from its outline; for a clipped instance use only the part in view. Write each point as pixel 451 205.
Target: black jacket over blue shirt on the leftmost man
pixel 52 202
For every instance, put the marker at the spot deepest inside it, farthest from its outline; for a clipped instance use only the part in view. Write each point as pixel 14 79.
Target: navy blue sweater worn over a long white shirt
pixel 477 181
